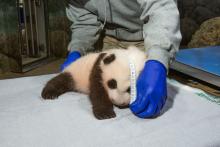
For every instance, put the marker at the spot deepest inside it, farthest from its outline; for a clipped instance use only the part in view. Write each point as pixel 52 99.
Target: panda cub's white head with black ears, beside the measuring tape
pixel 116 73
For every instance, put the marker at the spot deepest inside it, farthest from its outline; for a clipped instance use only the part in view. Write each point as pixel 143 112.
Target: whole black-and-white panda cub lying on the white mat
pixel 104 76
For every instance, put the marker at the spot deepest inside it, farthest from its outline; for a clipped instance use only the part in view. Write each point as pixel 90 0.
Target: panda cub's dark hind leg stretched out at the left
pixel 58 85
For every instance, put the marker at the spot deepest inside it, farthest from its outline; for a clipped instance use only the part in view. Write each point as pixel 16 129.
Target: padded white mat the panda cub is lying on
pixel 28 121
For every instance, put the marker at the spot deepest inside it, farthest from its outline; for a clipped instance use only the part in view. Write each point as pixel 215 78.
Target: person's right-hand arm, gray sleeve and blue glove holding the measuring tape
pixel 162 38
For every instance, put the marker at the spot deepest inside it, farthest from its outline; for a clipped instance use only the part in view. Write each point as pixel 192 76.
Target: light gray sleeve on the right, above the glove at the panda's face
pixel 162 31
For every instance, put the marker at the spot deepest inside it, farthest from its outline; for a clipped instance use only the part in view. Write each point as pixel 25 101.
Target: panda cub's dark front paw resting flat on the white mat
pixel 104 113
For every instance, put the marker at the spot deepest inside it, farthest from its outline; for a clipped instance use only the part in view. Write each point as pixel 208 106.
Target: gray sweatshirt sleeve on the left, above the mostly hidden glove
pixel 85 29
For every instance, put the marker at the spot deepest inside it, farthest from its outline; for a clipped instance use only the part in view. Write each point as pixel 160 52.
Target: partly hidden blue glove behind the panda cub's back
pixel 73 56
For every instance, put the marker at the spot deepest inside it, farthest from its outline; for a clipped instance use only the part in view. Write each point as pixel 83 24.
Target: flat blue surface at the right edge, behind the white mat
pixel 206 59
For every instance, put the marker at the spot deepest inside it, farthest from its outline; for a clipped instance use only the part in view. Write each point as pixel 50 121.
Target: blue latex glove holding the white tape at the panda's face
pixel 151 90
